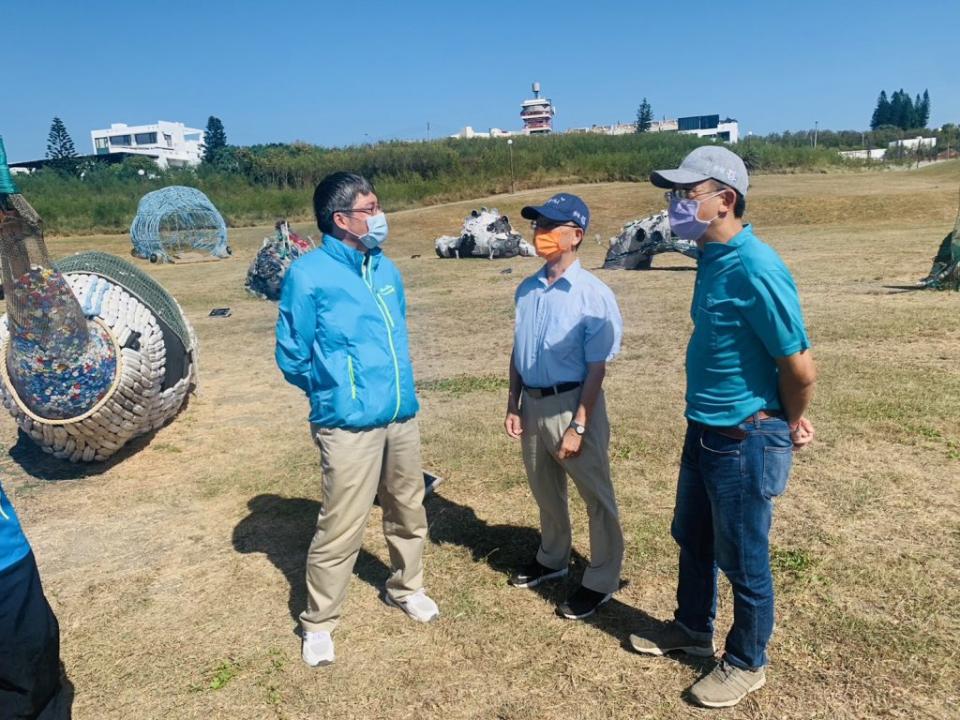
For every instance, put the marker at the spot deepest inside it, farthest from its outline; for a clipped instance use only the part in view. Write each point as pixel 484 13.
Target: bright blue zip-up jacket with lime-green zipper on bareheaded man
pixel 342 337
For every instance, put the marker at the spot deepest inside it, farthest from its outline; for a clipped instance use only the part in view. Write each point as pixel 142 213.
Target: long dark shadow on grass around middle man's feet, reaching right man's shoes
pixel 506 548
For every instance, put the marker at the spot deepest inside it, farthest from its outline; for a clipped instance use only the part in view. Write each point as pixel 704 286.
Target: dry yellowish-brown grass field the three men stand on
pixel 176 571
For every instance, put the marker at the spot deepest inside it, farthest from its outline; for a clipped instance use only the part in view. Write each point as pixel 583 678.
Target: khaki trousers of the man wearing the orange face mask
pixel 544 422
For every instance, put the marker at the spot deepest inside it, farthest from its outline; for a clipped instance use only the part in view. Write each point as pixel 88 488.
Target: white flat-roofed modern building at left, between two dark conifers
pixel 169 144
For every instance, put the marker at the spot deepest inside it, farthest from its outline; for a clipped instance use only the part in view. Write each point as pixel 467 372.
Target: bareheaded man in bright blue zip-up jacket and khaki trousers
pixel 342 339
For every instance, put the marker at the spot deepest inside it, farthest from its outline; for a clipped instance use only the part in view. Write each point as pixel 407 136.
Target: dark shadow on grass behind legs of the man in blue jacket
pixel 281 528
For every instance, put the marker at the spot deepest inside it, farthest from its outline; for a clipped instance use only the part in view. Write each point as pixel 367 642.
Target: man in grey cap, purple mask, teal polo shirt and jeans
pixel 750 378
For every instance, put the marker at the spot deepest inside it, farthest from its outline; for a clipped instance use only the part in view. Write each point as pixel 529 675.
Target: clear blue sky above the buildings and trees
pixel 353 72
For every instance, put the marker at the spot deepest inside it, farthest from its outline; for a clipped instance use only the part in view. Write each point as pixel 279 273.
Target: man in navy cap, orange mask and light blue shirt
pixel 568 327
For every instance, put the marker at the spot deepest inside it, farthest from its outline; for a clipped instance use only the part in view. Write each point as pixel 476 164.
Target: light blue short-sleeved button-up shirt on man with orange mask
pixel 562 327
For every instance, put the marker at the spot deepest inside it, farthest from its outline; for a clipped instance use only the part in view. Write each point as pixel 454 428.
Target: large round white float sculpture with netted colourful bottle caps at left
pixel 94 351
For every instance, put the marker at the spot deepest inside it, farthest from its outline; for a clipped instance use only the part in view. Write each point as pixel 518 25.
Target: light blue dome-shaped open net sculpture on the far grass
pixel 176 220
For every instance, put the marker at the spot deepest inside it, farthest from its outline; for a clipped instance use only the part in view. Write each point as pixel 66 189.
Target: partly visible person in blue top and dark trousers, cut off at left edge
pixel 29 633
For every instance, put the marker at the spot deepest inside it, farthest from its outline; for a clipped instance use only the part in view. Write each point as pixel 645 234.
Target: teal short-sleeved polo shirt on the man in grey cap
pixel 746 312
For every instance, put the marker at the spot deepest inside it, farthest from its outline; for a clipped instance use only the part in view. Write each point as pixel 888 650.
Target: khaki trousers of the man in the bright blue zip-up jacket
pixel 358 466
